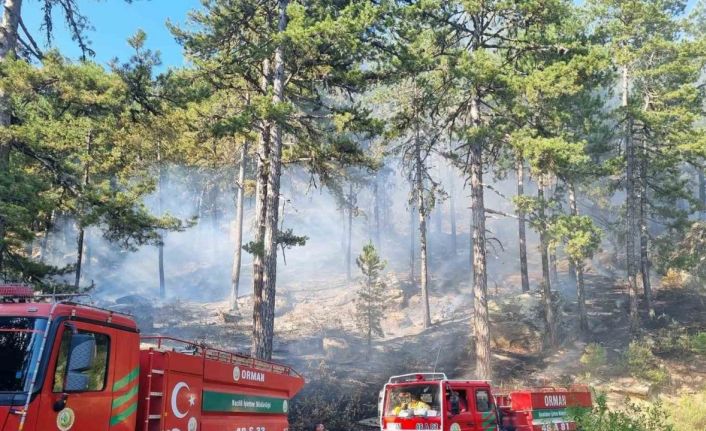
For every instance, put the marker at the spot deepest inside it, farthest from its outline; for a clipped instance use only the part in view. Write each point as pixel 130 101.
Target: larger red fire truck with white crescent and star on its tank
pixel 72 367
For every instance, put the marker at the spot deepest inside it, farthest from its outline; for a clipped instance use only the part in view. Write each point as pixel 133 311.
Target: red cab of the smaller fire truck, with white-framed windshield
pixel 430 401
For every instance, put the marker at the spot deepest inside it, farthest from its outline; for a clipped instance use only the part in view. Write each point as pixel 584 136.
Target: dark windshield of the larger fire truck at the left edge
pixel 20 339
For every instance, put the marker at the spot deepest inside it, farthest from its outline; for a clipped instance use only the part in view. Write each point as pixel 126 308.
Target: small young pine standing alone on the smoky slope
pixel 370 303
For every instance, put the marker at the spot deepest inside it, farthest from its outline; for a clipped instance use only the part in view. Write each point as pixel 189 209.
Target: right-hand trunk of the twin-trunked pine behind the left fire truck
pixel 272 200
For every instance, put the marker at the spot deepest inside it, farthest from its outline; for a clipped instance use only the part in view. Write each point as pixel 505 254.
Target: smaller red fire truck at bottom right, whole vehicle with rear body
pixel 430 401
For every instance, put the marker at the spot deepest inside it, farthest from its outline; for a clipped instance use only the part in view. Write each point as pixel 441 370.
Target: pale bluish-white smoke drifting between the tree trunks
pixel 198 261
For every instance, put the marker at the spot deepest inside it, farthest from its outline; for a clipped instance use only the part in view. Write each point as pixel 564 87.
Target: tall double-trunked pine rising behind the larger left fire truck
pixel 284 57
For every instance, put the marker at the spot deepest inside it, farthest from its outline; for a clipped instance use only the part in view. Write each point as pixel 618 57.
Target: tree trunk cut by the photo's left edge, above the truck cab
pixel 8 42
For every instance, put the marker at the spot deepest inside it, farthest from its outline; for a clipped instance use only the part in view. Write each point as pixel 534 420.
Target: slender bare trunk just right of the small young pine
pixel 422 210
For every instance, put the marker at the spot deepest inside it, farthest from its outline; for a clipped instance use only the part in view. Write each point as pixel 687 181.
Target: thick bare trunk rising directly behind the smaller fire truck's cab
pixel 481 321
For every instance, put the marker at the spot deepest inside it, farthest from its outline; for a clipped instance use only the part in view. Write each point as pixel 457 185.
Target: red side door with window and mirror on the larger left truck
pixel 77 391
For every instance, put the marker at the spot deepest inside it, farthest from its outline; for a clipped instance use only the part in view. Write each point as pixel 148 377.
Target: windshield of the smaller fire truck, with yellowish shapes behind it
pixel 413 400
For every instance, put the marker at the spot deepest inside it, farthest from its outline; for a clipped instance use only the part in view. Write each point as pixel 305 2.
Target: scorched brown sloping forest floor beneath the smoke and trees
pixel 317 335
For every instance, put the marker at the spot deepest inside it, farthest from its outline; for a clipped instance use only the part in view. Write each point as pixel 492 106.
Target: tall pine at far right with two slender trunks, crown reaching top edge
pixel 659 69
